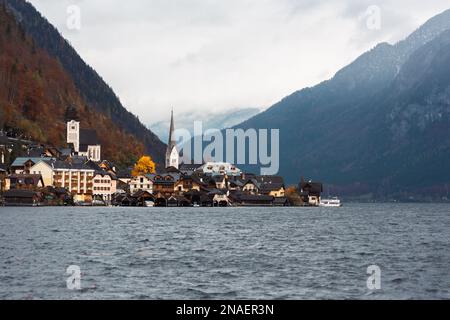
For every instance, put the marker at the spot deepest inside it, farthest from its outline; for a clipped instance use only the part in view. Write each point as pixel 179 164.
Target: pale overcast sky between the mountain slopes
pixel 213 55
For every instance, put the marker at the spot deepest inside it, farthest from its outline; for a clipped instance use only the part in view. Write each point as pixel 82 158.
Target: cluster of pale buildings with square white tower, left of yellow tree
pixel 77 169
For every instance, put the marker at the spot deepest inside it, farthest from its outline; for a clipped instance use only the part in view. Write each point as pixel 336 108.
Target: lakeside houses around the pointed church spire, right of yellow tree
pixel 208 184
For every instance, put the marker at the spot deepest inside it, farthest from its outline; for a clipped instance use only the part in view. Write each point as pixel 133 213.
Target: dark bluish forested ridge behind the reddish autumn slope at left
pixel 93 89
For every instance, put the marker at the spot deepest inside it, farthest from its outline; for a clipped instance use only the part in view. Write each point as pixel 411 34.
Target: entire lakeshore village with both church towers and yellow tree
pixel 78 175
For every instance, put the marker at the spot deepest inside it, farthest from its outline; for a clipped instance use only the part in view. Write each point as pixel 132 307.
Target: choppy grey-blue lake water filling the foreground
pixel 226 253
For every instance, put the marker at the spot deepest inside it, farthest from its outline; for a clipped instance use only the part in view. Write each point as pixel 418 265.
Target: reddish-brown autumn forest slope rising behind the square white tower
pixel 34 87
